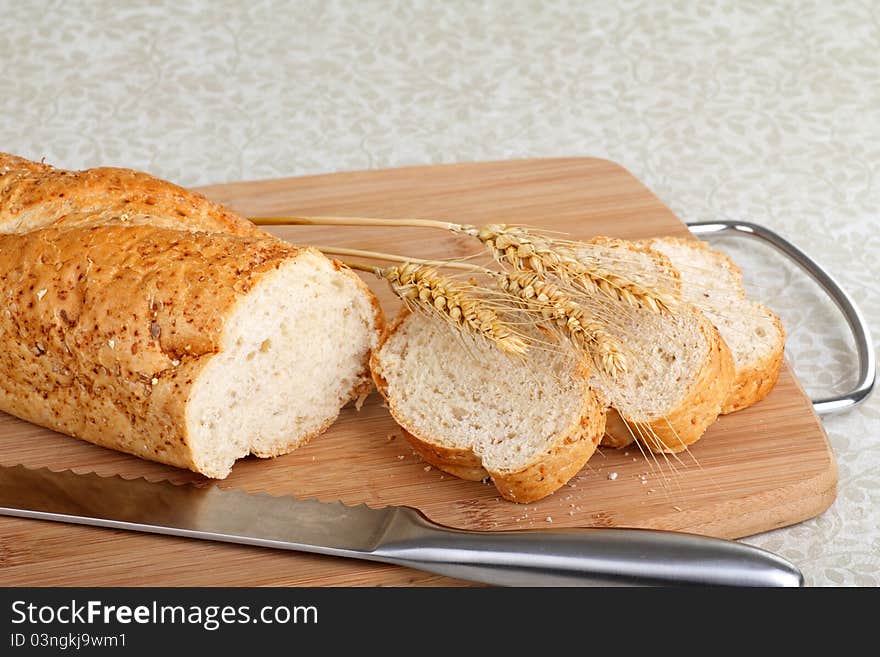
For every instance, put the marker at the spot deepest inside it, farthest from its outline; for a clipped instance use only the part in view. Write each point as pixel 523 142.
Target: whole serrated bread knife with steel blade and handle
pixel 398 535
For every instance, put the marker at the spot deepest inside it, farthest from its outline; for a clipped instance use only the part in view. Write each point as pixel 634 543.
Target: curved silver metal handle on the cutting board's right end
pixel 864 347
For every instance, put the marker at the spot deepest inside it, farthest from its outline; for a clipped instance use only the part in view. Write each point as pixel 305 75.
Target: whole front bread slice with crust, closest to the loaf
pixel 474 412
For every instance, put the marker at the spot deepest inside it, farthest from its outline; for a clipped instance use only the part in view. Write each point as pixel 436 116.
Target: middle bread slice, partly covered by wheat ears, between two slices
pixel 679 367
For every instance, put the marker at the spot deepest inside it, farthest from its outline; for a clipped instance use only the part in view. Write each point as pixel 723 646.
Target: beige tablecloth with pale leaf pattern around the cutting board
pixel 766 111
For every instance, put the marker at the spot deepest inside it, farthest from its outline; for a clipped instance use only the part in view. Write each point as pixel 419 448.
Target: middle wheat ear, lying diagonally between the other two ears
pixel 541 296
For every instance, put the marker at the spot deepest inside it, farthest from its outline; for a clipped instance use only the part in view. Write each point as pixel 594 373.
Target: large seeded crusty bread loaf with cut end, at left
pixel 144 318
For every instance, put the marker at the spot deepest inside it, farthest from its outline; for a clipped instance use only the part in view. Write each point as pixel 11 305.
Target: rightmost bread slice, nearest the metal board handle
pixel 713 283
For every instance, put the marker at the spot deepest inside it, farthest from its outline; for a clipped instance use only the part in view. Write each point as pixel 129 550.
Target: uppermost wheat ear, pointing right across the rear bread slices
pixel 527 251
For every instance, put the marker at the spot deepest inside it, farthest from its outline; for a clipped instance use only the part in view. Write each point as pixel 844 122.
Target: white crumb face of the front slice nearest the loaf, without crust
pixel 506 409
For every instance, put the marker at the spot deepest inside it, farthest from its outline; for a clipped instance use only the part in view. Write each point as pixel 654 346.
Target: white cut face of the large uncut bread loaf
pixel 293 352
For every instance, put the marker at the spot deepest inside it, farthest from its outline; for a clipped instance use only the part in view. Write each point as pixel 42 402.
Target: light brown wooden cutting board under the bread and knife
pixel 762 468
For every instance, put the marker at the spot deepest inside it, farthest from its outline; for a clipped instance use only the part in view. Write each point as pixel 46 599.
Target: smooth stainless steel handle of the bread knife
pixel 578 557
